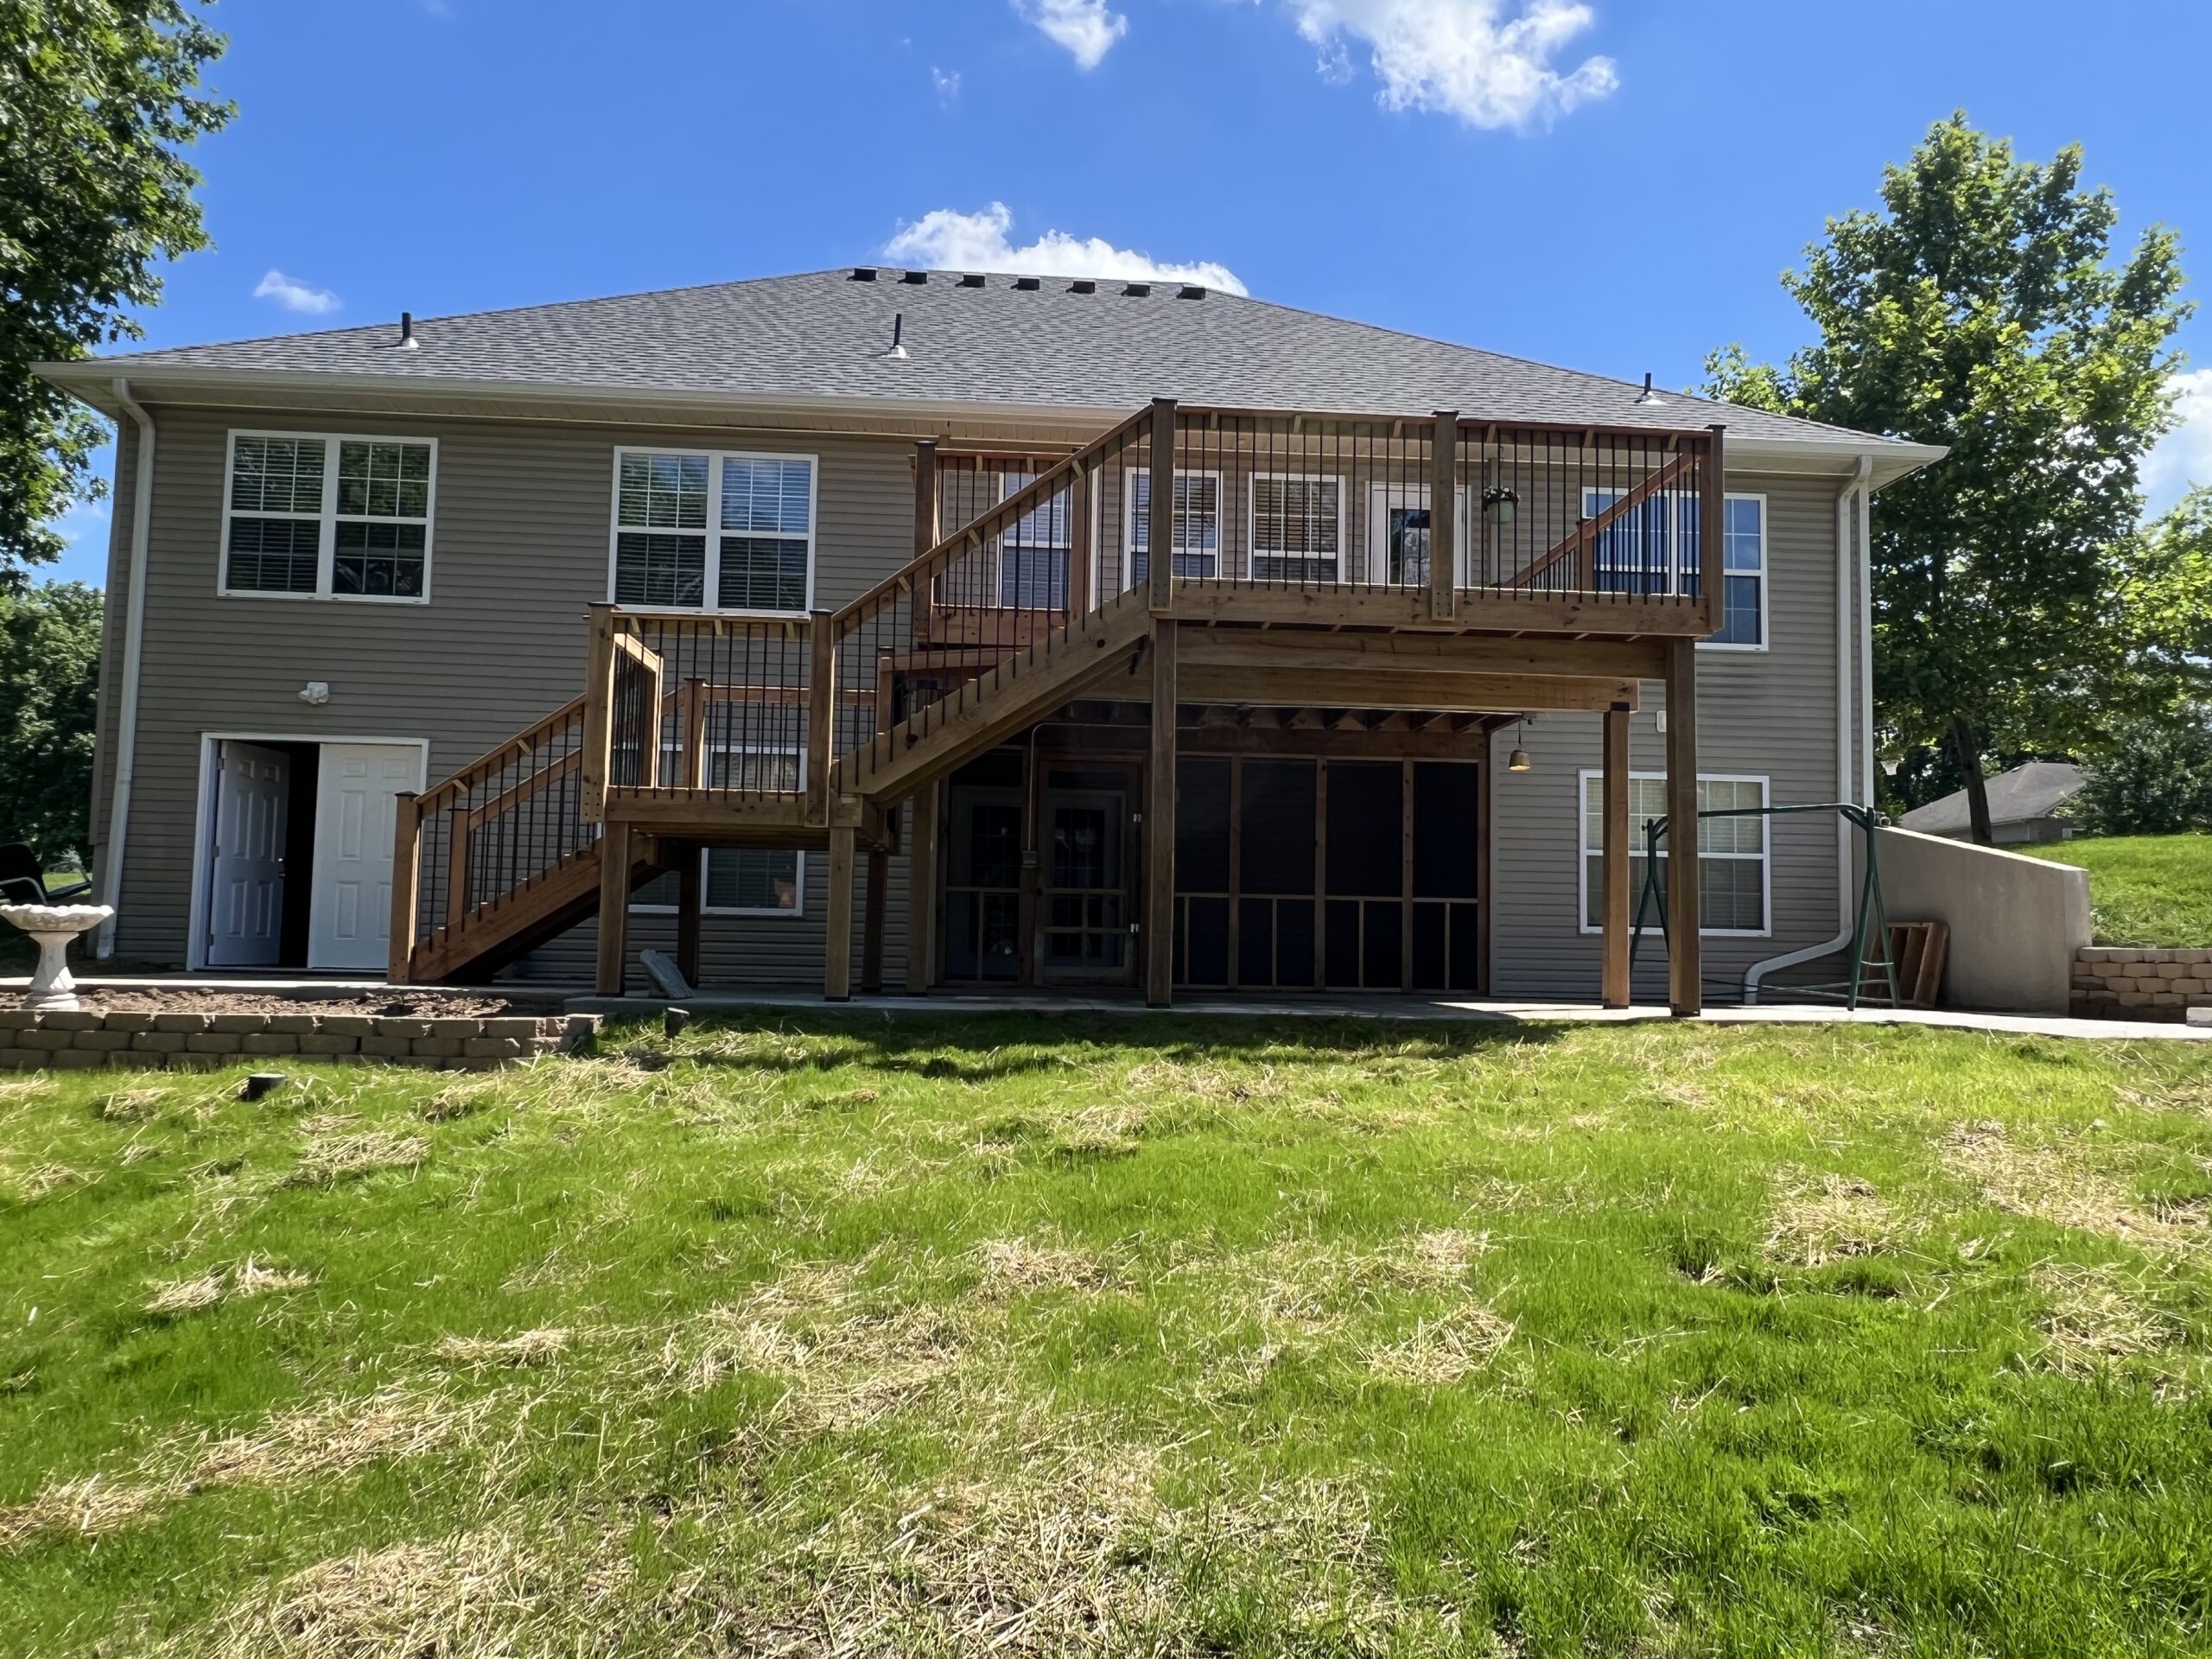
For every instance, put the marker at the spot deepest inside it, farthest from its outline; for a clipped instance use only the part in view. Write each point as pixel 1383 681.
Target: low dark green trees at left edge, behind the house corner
pixel 50 698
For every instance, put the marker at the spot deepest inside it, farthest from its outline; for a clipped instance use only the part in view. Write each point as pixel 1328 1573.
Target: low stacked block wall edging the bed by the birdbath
pixel 211 1041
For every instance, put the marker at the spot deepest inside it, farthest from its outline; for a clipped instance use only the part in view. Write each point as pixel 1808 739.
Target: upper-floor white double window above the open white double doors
pixel 328 519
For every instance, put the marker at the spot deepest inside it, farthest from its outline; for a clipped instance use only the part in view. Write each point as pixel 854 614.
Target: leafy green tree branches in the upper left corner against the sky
pixel 96 107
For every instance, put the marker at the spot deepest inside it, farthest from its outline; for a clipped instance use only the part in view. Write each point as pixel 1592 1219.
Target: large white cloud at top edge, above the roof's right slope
pixel 1461 56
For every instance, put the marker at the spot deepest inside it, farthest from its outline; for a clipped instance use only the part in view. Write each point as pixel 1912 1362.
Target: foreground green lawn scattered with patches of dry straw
pixel 1120 1335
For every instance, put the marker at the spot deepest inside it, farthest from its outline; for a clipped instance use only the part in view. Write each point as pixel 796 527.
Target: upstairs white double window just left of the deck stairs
pixel 713 532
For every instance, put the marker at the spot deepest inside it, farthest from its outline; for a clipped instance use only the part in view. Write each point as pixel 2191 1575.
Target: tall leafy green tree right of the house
pixel 1983 311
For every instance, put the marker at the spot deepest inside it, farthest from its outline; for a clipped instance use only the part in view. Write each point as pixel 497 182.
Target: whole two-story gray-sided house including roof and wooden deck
pixel 813 629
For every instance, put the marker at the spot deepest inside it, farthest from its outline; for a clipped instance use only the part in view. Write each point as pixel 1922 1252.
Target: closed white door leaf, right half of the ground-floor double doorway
pixel 351 919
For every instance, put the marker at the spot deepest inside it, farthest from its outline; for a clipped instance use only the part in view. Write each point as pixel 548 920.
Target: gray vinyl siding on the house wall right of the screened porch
pixel 1757 713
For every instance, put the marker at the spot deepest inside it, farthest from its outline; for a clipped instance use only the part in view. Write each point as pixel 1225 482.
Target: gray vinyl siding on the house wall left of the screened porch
pixel 519 554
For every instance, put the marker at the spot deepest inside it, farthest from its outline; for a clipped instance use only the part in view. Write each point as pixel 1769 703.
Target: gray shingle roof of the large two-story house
pixel 979 342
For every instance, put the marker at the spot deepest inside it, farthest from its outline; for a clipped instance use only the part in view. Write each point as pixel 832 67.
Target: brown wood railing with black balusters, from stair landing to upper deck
pixel 1271 517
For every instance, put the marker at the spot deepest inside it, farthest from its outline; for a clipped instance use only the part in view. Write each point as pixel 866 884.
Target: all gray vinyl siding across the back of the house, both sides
pixel 521 550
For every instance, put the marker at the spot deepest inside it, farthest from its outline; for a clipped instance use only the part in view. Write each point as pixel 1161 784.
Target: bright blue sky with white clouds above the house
pixel 1609 185
